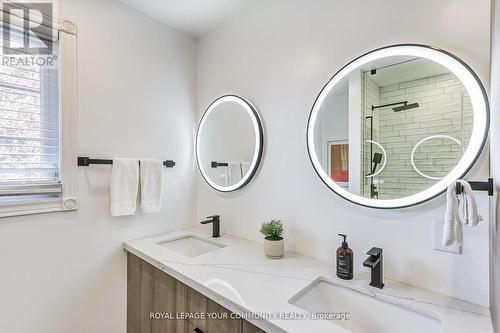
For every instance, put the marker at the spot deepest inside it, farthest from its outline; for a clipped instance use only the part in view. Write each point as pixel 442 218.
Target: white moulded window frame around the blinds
pixel 68 113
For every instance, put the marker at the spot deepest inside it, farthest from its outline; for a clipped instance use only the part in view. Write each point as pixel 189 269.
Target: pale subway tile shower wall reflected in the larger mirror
pixel 445 108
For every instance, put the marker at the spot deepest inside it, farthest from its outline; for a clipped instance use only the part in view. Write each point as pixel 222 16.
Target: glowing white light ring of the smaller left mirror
pixel 259 141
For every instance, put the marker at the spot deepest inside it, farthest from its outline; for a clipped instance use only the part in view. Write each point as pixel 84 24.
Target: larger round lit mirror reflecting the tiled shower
pixel 395 127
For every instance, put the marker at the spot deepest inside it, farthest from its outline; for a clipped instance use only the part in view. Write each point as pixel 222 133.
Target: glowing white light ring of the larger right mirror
pixel 480 106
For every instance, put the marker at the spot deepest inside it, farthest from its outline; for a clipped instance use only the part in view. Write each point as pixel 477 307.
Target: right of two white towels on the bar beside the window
pixel 151 185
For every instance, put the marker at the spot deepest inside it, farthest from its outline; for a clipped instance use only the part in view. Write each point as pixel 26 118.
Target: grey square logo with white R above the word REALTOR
pixel 27 28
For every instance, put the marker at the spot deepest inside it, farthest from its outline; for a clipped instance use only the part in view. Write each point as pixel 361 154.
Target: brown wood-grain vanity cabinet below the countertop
pixel 153 293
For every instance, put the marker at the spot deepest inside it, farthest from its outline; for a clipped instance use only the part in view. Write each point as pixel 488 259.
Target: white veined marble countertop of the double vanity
pixel 240 278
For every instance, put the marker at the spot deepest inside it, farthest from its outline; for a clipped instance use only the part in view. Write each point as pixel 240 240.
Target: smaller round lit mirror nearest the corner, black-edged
pixel 229 143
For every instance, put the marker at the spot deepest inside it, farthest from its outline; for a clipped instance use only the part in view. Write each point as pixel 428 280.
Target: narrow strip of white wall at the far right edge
pixel 495 164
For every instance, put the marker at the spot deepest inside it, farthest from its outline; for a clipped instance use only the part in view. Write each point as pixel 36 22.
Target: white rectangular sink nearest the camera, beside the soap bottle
pixel 368 314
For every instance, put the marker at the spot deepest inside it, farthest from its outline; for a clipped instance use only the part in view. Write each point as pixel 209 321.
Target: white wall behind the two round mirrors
pixel 279 54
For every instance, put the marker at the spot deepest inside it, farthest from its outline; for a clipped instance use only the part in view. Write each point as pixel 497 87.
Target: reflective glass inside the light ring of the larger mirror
pixel 393 127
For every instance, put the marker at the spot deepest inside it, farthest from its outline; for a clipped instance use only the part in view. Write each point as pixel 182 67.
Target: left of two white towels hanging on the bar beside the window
pixel 124 184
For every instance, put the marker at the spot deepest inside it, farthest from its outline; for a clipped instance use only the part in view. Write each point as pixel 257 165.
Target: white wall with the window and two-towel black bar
pixel 66 272
